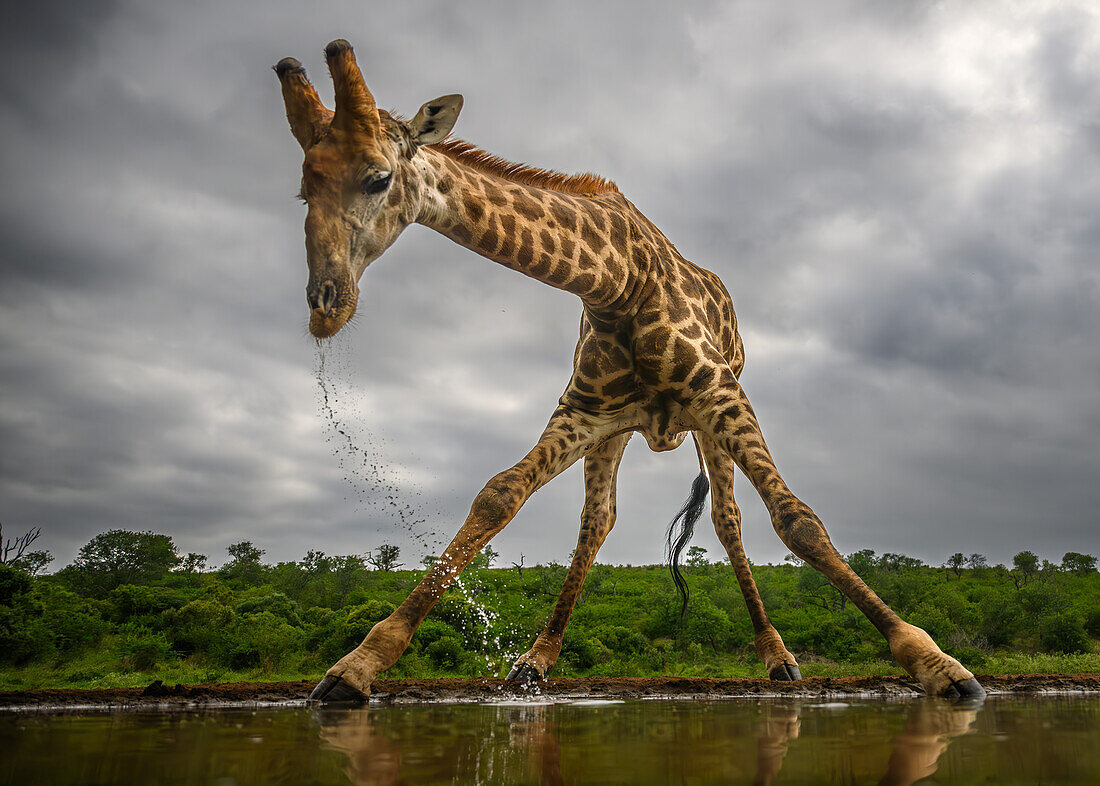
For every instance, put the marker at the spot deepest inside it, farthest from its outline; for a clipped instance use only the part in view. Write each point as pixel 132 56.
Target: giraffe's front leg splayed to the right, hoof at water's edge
pixel 725 414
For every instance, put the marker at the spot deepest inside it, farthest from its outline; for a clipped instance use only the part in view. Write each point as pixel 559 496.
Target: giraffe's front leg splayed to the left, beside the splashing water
pixel 566 439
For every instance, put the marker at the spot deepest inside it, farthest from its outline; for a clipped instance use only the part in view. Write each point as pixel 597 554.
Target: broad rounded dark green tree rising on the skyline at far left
pixel 119 557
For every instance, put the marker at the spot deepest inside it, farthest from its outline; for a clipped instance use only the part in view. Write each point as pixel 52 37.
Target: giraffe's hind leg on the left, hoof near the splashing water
pixel 598 518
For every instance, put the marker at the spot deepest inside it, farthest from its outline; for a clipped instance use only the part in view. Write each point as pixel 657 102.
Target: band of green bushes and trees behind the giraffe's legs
pixel 130 611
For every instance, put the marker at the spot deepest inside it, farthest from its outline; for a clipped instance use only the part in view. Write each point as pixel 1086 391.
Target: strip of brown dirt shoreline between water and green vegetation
pixel 160 696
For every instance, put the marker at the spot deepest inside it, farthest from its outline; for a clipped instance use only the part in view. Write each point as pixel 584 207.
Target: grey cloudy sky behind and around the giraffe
pixel 904 200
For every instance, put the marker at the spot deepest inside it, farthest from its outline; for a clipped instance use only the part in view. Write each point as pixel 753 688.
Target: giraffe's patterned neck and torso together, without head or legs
pixel 650 315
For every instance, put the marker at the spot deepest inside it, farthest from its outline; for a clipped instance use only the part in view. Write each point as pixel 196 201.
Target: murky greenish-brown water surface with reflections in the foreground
pixel 1003 741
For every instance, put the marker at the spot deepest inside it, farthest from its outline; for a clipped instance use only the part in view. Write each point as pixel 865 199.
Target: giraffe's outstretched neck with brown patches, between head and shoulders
pixel 588 246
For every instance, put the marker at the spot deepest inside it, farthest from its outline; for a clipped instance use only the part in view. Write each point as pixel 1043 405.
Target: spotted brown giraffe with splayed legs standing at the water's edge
pixel 659 353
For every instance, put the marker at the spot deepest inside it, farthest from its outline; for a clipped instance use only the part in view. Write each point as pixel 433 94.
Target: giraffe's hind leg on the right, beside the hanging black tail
pixel 728 523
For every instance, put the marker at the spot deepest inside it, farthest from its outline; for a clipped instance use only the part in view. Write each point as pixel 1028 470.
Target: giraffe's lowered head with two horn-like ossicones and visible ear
pixel 359 181
